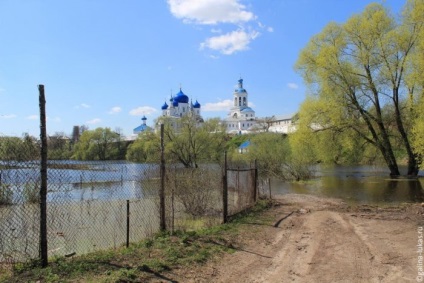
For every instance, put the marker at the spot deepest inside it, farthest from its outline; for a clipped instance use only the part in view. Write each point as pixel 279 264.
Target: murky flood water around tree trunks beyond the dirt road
pixel 357 185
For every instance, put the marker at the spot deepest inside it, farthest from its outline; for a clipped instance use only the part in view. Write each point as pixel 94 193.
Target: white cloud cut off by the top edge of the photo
pixel 210 12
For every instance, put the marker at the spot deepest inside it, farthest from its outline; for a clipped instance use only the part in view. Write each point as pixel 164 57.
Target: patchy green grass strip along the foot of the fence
pixel 150 258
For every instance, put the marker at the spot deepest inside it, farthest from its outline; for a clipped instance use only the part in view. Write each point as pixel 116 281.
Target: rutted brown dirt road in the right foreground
pixel 322 240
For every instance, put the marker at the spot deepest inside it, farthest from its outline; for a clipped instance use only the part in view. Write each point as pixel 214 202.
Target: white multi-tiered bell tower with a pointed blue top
pixel 241 118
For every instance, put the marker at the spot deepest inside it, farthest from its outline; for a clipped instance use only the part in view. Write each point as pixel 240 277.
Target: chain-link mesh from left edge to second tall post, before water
pixel 90 206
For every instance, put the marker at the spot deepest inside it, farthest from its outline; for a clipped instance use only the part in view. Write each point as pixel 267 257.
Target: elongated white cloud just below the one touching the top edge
pixel 231 42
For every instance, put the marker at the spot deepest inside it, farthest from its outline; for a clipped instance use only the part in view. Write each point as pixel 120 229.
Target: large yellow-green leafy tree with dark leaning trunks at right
pixel 357 71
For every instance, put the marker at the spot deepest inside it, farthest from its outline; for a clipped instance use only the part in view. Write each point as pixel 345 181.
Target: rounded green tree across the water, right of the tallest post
pixel 98 144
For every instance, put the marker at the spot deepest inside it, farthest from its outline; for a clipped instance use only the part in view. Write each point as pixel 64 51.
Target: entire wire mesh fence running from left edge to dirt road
pixel 97 205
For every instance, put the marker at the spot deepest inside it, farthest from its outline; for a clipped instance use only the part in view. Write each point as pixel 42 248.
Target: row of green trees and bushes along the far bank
pixel 187 142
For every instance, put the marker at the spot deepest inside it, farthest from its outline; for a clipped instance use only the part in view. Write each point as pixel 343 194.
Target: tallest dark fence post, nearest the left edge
pixel 43 173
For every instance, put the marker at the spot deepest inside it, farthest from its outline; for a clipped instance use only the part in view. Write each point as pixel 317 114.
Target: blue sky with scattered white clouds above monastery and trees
pixel 106 63
